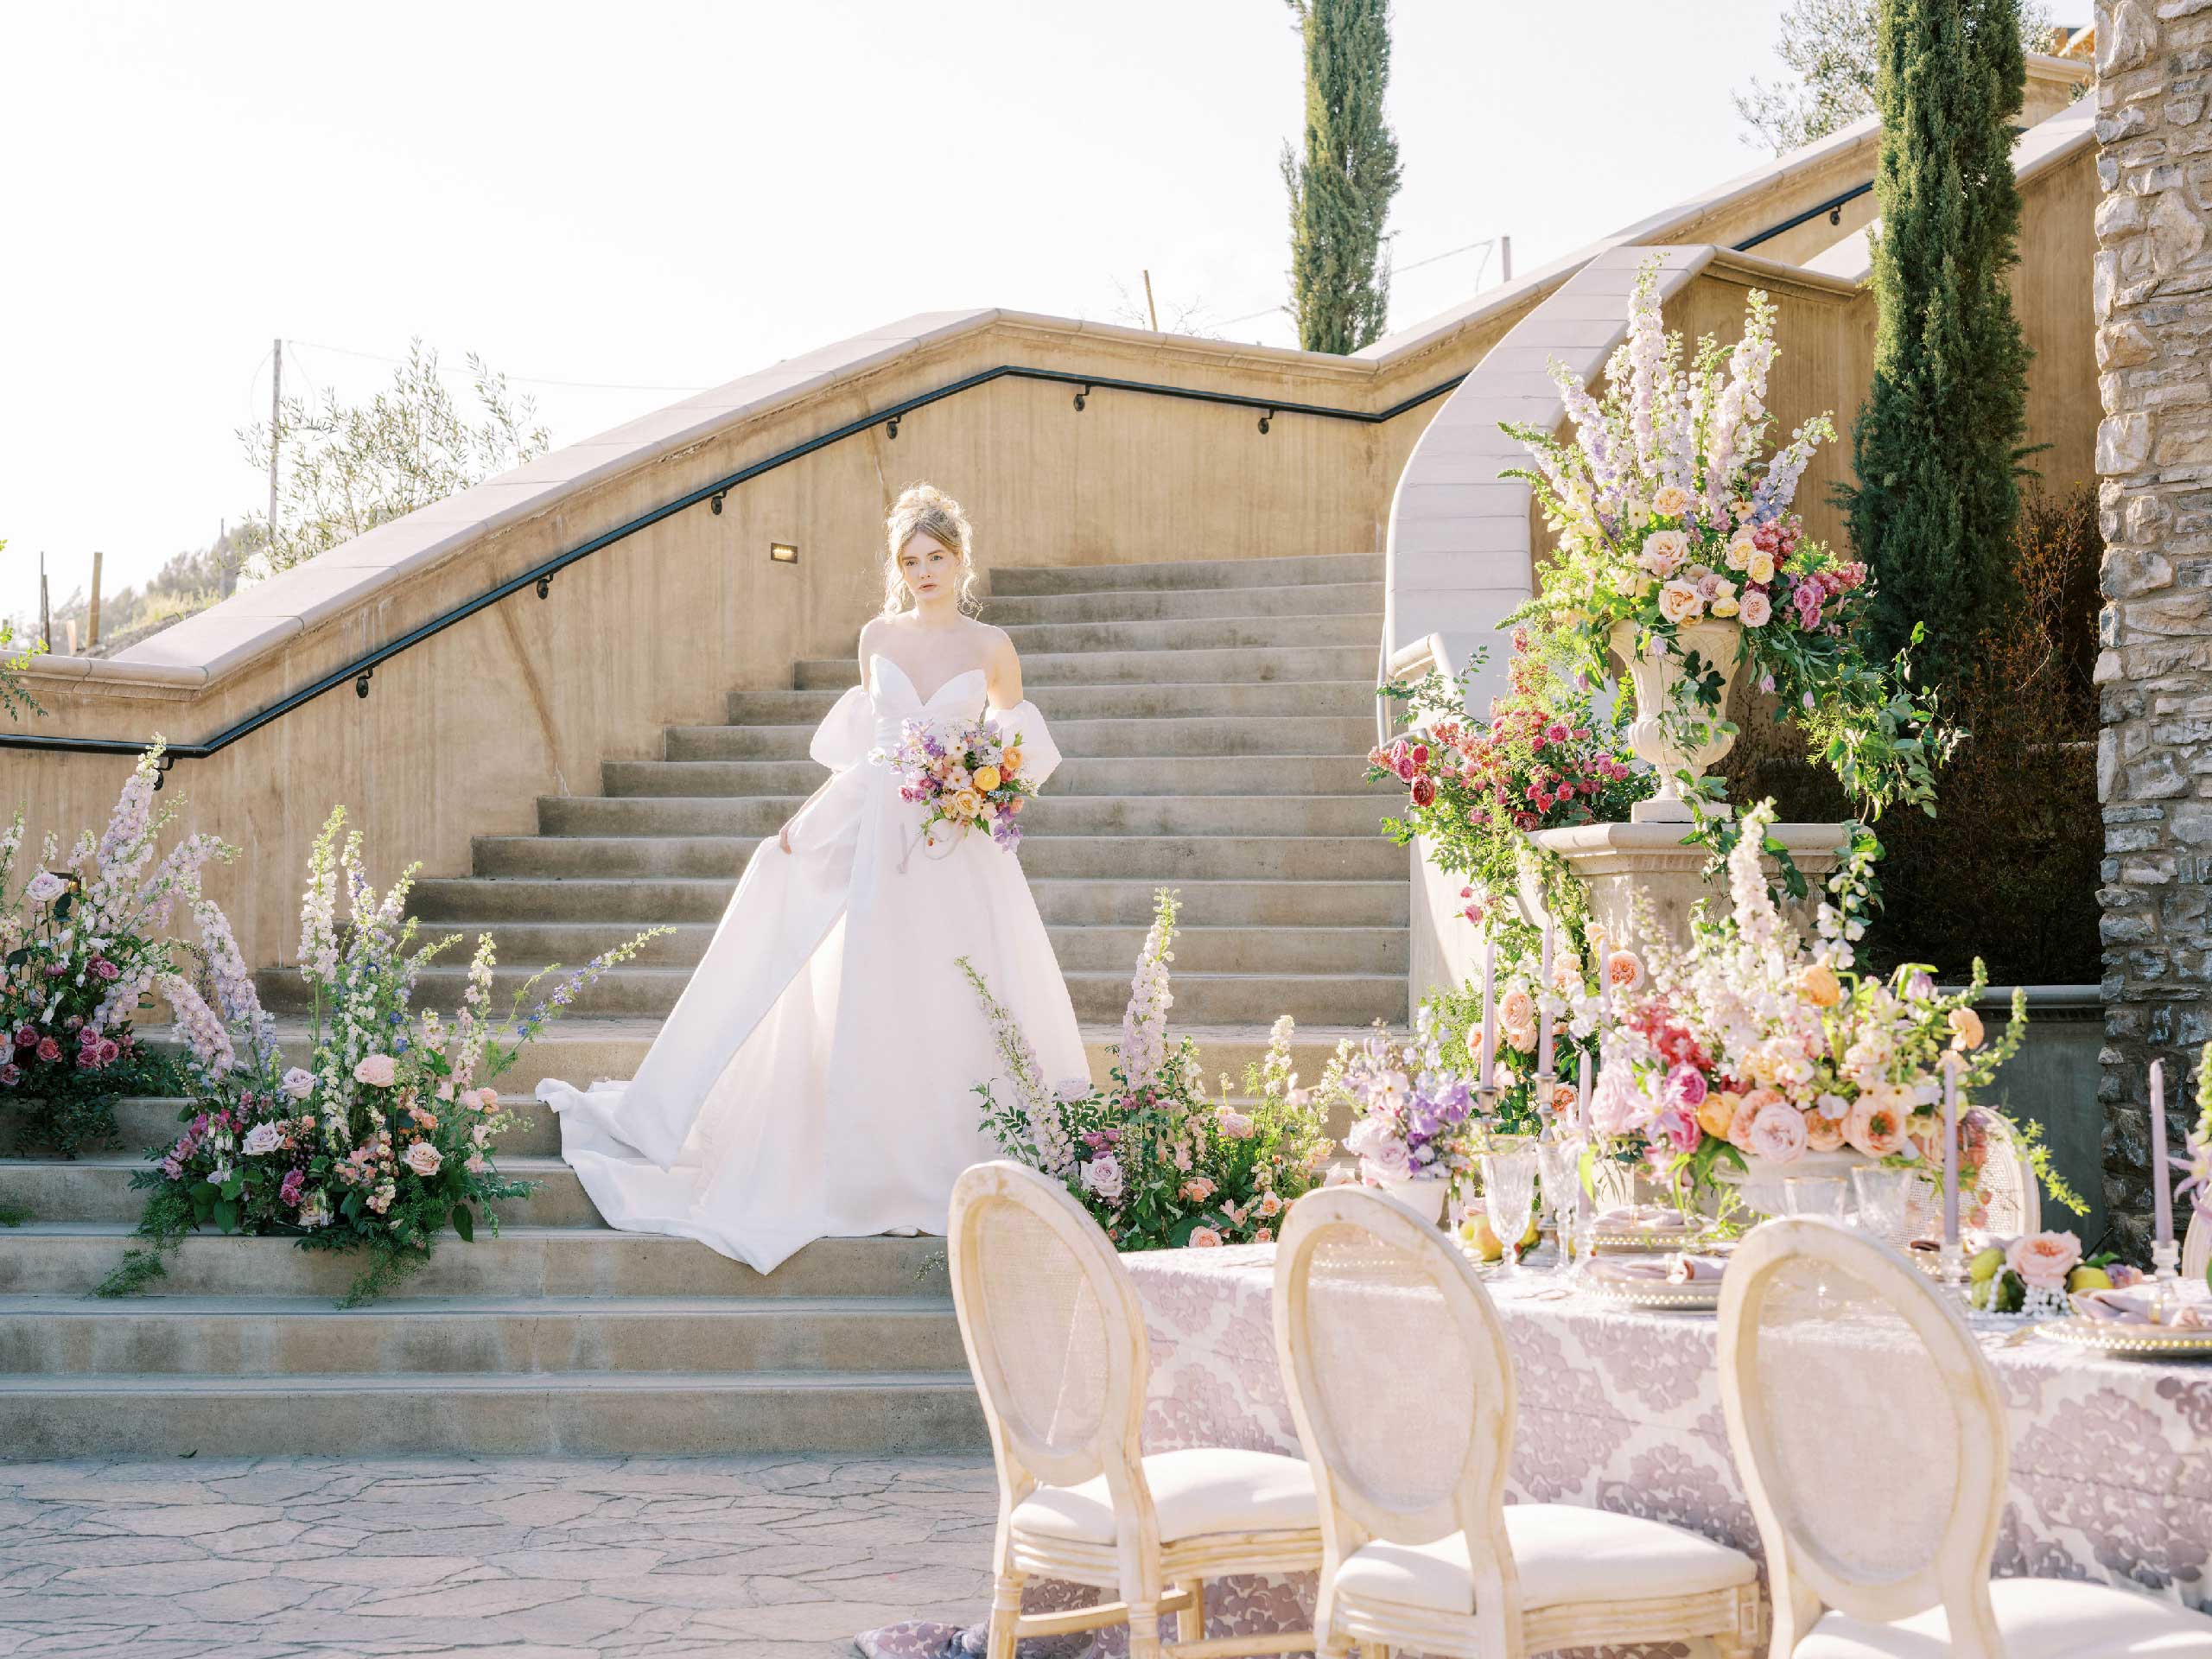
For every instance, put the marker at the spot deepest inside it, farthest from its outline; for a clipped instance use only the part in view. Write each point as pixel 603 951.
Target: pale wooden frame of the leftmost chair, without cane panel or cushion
pixel 1151 1578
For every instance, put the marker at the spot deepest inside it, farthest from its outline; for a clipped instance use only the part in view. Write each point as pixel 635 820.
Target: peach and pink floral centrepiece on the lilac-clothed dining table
pixel 1760 1050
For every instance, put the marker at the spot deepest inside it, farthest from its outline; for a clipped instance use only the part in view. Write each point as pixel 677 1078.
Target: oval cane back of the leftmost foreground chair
pixel 1054 1335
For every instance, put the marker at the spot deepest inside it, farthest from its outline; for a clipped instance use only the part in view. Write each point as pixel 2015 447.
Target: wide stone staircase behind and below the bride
pixel 1213 720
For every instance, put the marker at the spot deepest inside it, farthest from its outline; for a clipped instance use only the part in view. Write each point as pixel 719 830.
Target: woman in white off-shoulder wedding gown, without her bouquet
pixel 817 1074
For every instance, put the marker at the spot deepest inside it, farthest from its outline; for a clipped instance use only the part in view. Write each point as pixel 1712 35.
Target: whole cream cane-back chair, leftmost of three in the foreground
pixel 1056 1339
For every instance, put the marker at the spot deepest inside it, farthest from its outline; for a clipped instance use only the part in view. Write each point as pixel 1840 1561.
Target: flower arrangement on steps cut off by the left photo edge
pixel 85 946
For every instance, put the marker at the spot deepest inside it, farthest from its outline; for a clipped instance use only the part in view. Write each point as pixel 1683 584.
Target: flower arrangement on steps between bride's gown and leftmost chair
pixel 1149 1156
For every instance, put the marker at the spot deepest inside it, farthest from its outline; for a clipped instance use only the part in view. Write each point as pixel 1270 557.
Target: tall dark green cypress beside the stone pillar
pixel 1939 441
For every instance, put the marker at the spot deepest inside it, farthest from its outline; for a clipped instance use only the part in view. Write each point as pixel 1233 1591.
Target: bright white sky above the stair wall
pixel 625 205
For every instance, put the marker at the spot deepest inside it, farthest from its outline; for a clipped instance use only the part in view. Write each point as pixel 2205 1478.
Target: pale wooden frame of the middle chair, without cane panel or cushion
pixel 1353 1519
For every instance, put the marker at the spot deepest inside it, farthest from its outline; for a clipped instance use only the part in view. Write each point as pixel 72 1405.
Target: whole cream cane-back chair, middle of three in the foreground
pixel 1404 1395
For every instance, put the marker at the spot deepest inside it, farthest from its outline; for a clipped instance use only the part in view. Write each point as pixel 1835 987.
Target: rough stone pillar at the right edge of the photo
pixel 2153 293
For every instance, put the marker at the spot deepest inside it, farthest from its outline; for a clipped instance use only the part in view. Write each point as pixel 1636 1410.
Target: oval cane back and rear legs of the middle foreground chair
pixel 1401 1388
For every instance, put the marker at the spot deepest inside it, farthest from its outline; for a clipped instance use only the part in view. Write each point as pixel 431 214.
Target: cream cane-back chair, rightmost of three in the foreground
pixel 1870 1434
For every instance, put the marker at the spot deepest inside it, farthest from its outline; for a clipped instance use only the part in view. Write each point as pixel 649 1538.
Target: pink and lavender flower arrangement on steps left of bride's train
pixel 386 1138
